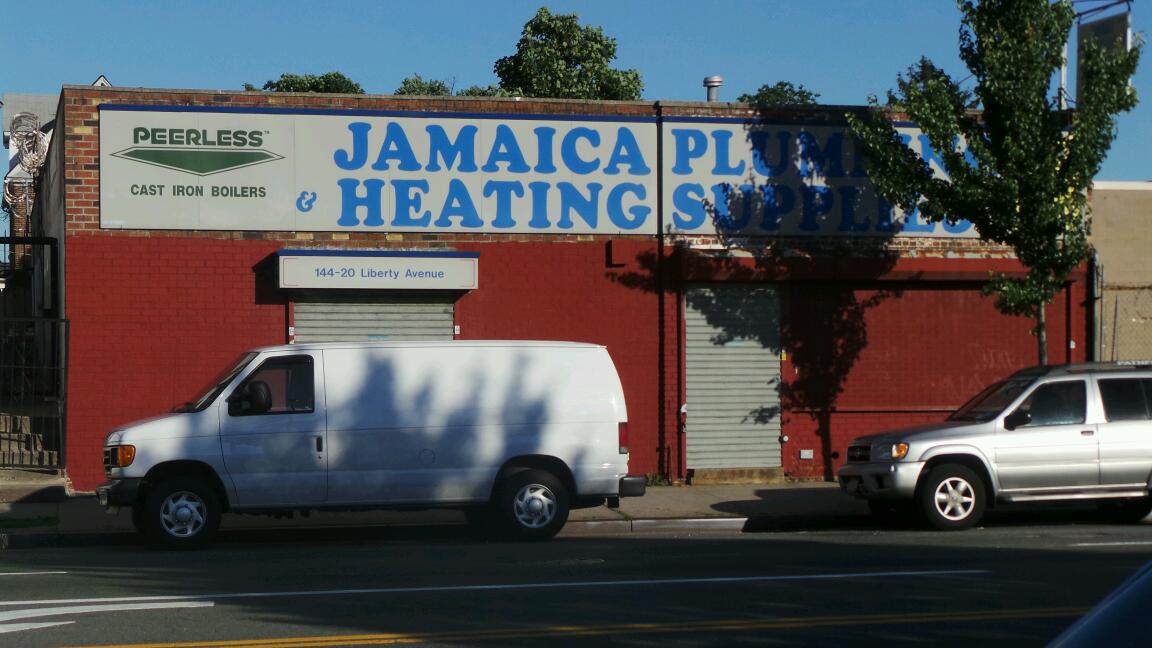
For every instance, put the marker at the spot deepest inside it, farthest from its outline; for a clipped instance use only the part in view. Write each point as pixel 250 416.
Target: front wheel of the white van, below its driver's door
pixel 181 514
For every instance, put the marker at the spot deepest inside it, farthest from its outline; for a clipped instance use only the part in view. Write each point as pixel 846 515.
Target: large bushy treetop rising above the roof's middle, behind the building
pixel 558 58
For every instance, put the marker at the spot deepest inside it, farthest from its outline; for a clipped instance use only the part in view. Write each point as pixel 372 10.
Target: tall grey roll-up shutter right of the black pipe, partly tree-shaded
pixel 733 375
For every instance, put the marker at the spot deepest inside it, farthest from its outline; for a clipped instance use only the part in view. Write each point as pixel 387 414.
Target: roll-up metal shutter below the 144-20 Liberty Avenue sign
pixel 343 319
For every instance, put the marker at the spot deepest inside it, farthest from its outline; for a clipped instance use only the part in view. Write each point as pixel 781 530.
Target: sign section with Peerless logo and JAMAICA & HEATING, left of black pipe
pixel 337 171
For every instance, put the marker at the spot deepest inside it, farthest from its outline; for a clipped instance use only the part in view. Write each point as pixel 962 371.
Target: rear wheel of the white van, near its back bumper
pixel 533 506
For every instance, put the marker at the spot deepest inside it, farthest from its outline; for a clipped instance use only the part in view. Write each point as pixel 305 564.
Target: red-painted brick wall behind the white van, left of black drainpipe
pixel 155 319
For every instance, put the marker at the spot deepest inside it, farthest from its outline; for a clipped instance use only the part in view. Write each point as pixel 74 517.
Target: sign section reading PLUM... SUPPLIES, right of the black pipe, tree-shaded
pixel 749 179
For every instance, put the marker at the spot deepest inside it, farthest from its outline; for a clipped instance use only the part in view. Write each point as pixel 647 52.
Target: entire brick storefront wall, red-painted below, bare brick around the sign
pixel 157 314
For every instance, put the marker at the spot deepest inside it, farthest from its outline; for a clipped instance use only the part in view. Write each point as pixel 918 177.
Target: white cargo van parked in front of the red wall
pixel 513 433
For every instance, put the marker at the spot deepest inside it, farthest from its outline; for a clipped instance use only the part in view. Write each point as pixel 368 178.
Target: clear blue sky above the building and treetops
pixel 845 50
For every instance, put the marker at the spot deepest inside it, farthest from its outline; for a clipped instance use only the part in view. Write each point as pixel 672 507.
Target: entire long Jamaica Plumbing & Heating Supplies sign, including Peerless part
pixel 183 168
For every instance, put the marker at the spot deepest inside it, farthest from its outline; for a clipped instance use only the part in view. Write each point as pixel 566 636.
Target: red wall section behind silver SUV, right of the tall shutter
pixel 922 351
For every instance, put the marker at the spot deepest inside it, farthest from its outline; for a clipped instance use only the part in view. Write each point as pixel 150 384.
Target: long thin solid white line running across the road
pixel 502 587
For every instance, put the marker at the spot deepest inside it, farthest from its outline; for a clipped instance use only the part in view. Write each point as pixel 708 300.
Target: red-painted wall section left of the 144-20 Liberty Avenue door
pixel 153 322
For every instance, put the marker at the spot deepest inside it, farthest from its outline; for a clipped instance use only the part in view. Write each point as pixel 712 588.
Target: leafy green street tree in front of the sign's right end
pixel 1028 165
